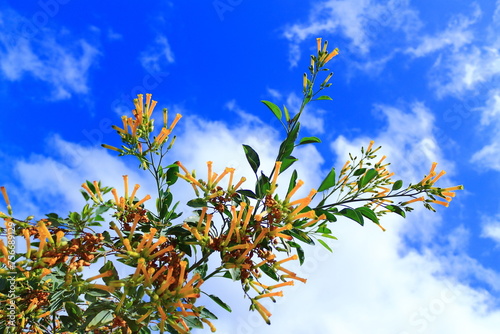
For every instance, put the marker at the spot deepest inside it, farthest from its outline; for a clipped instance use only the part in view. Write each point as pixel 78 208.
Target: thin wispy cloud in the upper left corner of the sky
pixel 43 56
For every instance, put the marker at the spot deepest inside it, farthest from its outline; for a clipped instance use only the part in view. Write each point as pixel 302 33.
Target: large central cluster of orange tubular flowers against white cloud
pixel 246 243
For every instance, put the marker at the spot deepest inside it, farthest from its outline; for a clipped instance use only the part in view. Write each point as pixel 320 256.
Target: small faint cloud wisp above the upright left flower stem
pixel 157 55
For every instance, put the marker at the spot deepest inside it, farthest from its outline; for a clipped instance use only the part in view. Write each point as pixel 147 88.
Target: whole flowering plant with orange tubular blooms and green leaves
pixel 254 229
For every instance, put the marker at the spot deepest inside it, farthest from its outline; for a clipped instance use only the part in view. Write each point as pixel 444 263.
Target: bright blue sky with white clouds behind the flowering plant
pixel 420 78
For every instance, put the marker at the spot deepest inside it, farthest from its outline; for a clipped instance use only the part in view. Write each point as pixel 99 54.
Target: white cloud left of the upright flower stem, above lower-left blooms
pixel 54 182
